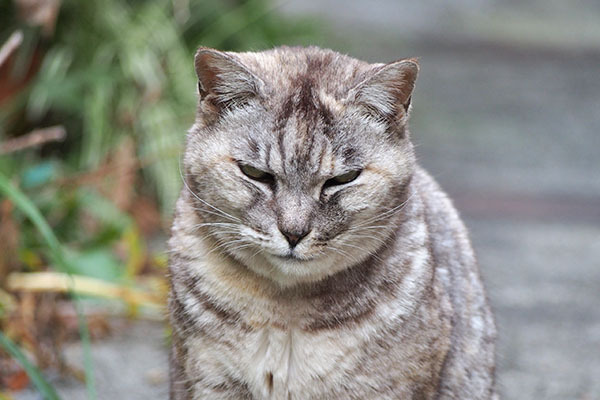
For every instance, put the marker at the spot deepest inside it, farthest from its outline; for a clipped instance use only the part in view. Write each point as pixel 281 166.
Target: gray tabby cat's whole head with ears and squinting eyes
pixel 299 160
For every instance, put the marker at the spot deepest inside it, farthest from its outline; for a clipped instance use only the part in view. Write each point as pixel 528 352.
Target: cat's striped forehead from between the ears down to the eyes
pixel 302 126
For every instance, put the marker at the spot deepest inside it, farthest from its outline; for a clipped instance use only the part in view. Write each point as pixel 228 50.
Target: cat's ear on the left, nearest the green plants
pixel 223 81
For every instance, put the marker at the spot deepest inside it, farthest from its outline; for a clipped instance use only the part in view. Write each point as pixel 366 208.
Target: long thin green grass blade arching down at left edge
pixel 30 210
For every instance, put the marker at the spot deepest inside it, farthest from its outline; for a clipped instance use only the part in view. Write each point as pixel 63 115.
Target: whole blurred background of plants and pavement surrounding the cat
pixel 95 100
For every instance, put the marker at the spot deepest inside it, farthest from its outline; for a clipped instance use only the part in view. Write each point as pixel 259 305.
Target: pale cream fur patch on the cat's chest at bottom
pixel 283 363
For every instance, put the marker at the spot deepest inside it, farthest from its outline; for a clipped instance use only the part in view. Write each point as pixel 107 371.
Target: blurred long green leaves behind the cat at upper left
pixel 116 68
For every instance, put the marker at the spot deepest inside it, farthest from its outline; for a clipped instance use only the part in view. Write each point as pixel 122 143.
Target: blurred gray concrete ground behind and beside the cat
pixel 506 118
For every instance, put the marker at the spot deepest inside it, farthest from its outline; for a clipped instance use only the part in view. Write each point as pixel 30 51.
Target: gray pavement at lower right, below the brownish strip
pixel 544 284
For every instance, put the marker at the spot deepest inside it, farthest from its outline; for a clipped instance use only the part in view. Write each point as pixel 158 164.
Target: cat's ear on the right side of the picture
pixel 387 92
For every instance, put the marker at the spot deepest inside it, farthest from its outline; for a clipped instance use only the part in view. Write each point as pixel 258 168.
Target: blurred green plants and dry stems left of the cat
pixel 117 76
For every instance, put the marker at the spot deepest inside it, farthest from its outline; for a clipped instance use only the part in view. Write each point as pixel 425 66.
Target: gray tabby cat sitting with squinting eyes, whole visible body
pixel 311 257
